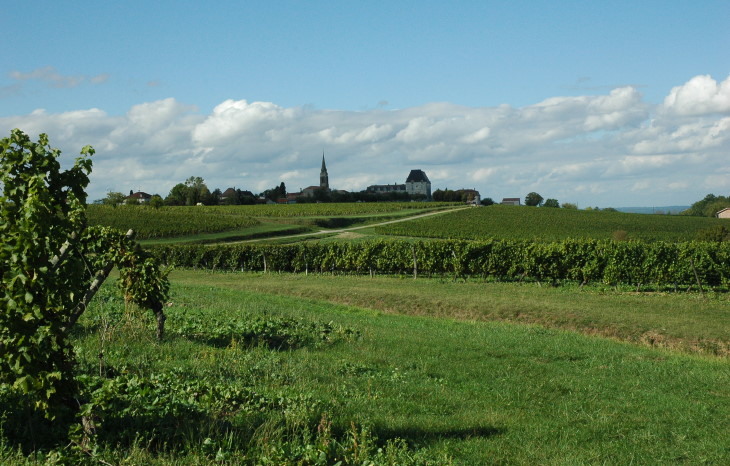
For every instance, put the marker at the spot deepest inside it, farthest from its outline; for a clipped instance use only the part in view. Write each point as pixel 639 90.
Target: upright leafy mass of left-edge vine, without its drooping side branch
pixel 42 207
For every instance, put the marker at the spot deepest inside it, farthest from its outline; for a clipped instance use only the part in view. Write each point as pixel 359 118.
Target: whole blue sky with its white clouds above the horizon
pixel 606 104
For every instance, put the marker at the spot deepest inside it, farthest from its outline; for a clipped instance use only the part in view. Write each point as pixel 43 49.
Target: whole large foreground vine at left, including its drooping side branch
pixel 51 264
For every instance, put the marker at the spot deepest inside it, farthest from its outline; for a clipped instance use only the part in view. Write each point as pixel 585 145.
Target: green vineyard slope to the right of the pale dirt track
pixel 527 223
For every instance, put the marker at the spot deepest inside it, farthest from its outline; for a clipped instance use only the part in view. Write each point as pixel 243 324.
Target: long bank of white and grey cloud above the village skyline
pixel 593 150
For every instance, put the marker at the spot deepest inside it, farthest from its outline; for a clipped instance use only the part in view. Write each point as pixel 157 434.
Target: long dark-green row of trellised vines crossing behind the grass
pixel 632 263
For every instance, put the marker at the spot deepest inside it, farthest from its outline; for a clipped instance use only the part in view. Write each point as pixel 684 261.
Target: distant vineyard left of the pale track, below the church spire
pixel 170 222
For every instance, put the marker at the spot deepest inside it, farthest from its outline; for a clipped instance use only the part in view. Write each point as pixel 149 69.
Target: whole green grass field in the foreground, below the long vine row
pixel 427 363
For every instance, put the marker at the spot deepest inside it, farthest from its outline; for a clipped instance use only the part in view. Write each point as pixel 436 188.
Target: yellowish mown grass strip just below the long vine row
pixel 688 322
